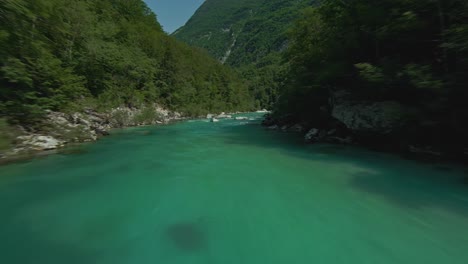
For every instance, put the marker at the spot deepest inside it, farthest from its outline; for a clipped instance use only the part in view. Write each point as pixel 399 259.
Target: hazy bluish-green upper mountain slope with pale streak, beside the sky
pixel 241 32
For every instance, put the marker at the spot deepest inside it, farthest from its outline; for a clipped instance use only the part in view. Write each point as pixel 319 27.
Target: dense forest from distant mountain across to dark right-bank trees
pixel 296 55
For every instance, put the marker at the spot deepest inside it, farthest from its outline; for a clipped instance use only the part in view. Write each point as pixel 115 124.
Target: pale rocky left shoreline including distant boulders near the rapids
pixel 60 130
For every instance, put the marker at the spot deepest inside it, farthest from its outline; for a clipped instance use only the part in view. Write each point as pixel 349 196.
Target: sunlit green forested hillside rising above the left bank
pixel 69 54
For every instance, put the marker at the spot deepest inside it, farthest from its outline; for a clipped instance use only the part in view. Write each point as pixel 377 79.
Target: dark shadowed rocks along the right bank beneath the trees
pixel 385 125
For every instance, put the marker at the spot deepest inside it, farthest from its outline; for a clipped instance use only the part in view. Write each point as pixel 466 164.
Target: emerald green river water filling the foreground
pixel 230 192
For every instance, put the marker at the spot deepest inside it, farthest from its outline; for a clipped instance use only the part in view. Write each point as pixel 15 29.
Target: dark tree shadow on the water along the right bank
pixel 407 184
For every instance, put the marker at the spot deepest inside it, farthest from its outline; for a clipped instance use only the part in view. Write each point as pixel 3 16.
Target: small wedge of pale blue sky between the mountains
pixel 173 14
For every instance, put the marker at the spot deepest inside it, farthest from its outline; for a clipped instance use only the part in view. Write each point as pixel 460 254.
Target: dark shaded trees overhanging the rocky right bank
pixel 413 52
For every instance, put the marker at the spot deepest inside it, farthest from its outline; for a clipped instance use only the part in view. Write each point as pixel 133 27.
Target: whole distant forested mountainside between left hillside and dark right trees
pixel 248 35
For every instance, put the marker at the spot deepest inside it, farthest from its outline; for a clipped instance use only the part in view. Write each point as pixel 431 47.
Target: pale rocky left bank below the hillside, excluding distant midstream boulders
pixel 58 129
